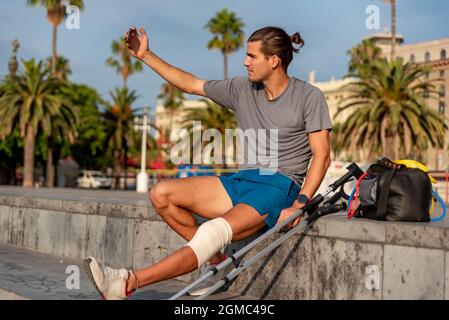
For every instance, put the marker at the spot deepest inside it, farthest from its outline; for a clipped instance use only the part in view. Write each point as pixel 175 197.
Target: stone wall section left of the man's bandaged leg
pixel 121 235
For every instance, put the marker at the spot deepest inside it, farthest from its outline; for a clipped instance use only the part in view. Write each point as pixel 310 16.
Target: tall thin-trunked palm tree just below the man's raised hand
pixel 124 65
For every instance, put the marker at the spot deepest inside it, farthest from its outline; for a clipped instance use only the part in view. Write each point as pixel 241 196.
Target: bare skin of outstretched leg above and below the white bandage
pixel 244 221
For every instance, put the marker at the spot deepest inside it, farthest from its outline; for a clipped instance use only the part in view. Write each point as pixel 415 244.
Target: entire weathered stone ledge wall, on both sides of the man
pixel 337 259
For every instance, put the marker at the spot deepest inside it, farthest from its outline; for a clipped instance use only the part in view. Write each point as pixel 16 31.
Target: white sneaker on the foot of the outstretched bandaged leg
pixel 110 283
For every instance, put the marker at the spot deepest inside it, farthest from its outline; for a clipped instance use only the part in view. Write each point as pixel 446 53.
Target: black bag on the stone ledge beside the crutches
pixel 394 192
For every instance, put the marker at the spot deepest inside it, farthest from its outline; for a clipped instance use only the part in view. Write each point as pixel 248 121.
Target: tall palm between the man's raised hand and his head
pixel 228 34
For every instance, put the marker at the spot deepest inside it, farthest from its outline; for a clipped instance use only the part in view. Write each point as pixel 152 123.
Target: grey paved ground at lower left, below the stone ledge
pixel 26 274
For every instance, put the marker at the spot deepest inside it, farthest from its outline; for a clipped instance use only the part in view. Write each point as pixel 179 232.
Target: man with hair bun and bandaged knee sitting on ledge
pixel 257 196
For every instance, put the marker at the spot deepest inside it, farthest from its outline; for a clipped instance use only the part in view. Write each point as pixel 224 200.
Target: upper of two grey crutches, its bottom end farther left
pixel 353 171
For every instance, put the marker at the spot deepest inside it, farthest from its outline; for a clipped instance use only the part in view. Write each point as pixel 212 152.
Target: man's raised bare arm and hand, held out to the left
pixel 138 45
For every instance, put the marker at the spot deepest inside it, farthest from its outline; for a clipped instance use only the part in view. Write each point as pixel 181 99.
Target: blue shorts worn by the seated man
pixel 265 193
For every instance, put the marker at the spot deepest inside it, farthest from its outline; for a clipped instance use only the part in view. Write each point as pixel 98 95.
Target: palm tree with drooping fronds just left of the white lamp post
pixel 119 118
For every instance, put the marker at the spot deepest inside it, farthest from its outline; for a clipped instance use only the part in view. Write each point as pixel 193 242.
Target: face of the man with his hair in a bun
pixel 259 67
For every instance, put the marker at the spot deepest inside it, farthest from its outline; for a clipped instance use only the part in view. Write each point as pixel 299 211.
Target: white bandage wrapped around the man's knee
pixel 210 237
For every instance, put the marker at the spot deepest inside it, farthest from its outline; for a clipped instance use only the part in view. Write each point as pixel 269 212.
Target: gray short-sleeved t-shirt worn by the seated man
pixel 286 120
